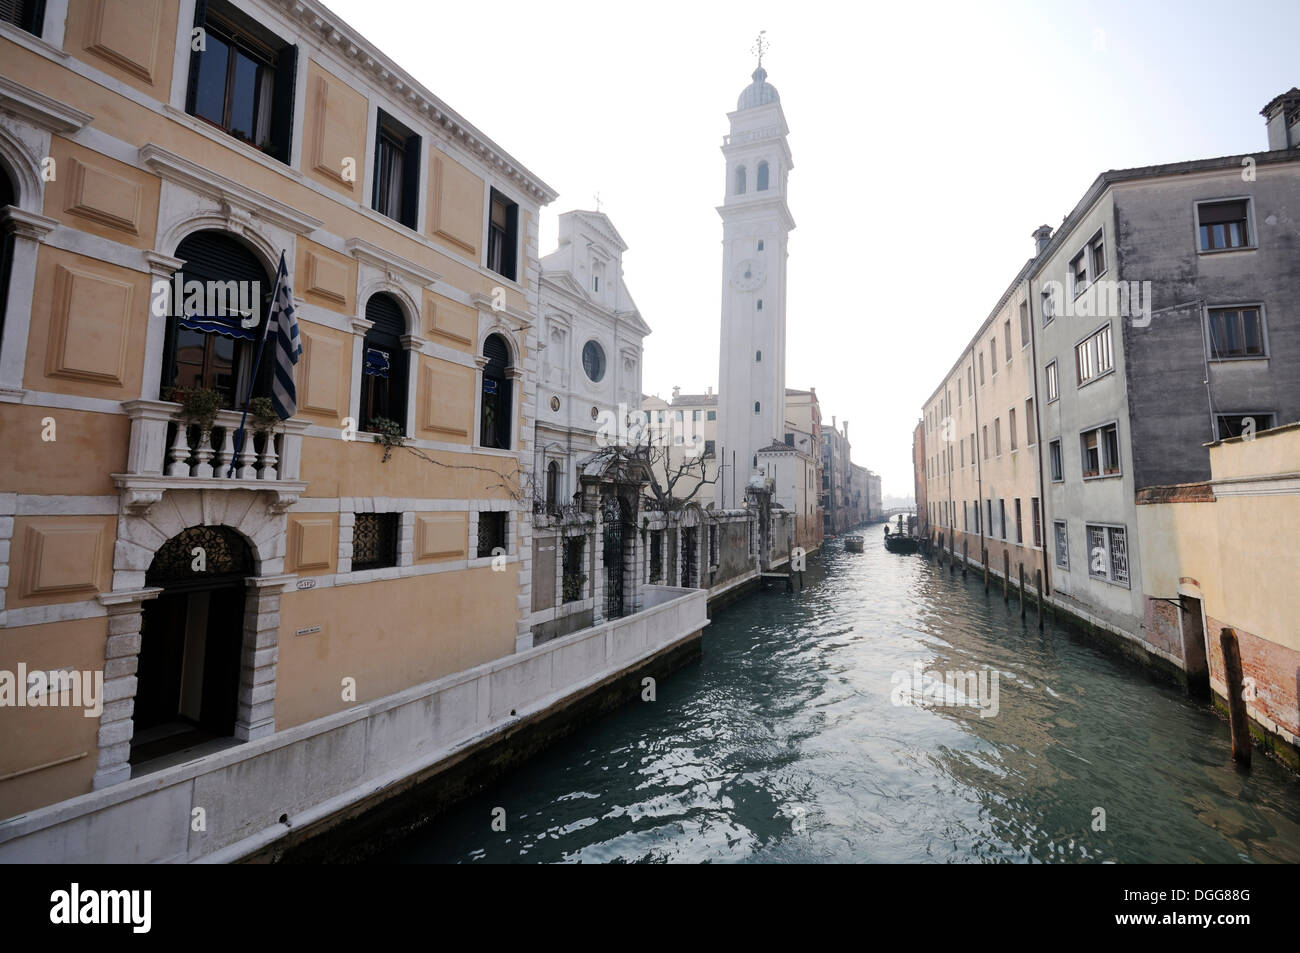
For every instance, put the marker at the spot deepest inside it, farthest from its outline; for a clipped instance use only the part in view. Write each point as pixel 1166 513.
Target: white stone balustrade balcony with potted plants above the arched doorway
pixel 167 454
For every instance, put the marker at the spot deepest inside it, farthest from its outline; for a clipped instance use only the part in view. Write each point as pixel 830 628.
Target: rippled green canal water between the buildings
pixel 804 735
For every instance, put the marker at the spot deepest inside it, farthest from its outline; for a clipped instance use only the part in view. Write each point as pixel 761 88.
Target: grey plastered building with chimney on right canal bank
pixel 1167 313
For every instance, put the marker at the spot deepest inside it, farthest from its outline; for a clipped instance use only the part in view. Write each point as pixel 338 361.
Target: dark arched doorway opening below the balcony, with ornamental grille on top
pixel 192 642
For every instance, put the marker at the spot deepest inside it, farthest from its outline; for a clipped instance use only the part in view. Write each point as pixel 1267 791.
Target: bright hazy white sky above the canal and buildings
pixel 929 142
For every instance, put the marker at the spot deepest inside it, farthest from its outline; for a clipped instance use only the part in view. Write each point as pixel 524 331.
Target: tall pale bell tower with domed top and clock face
pixel 756 228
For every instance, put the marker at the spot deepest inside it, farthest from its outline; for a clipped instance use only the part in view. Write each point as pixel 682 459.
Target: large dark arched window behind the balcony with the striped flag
pixel 207 344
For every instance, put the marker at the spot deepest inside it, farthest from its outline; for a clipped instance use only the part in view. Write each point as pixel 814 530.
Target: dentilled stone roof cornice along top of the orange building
pixel 333 33
